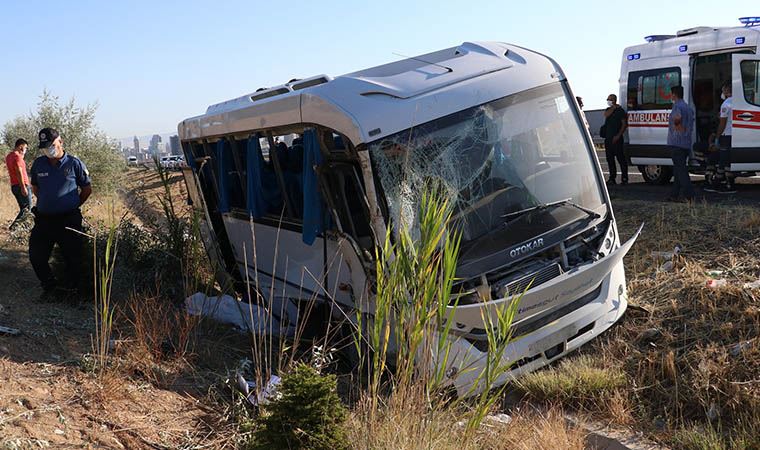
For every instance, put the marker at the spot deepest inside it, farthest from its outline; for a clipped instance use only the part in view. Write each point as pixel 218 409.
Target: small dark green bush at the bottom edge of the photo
pixel 307 415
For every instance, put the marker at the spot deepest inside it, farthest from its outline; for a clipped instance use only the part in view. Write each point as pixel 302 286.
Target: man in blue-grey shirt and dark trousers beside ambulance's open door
pixel 680 126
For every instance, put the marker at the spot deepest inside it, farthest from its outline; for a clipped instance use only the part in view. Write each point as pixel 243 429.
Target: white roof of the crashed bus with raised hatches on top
pixel 369 104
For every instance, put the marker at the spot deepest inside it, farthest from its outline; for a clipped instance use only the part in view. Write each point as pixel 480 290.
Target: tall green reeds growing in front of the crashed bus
pixel 409 332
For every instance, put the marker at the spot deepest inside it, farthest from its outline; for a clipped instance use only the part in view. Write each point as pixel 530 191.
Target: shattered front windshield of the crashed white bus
pixel 492 160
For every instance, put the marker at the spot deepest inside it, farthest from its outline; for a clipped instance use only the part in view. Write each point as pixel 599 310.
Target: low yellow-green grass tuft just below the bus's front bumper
pixel 575 380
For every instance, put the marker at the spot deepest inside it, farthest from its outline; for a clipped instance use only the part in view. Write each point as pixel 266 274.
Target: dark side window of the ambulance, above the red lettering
pixel 650 89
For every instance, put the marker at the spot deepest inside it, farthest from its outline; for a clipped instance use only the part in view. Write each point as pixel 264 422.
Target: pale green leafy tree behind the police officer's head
pixel 81 138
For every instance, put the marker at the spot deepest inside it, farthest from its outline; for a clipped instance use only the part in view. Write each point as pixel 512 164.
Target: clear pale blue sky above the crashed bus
pixel 150 64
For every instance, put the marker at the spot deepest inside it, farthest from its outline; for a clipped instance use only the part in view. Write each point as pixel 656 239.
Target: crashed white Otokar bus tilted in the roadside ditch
pixel 299 184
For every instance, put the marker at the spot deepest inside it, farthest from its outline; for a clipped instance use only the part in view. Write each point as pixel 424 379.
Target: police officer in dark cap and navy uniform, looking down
pixel 61 184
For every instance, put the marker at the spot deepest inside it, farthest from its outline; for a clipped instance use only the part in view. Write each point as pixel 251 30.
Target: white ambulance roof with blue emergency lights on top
pixel 694 41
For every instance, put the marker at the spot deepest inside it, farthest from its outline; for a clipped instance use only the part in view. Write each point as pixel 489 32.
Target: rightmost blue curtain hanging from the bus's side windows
pixel 313 221
